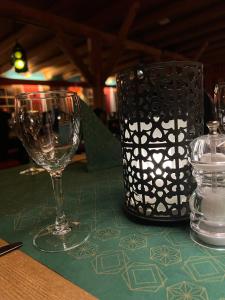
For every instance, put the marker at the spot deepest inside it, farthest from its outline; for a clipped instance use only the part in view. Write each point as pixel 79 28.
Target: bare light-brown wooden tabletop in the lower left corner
pixel 22 277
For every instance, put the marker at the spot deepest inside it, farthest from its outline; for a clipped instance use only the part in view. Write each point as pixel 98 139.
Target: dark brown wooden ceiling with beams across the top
pixel 64 38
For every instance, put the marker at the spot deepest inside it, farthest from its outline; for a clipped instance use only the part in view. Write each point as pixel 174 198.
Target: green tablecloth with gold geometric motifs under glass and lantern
pixel 122 260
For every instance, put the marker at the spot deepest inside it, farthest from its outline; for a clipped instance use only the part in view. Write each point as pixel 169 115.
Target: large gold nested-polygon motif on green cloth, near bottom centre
pixel 144 277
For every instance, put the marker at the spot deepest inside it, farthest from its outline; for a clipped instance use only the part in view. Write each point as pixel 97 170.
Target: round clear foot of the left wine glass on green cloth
pixel 47 241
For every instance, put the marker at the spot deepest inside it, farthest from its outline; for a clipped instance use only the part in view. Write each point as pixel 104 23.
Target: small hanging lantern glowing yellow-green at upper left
pixel 19 59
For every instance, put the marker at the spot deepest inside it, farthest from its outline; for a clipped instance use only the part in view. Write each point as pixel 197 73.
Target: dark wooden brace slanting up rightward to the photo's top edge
pixel 119 44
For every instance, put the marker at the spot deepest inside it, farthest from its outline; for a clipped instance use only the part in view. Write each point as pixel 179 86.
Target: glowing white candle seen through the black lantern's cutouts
pixel 158 168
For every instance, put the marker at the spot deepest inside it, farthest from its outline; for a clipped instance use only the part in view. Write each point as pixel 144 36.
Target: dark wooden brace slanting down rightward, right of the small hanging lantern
pixel 65 45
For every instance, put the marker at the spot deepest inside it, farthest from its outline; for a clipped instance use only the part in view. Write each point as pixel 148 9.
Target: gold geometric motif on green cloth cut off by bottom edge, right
pixel 186 291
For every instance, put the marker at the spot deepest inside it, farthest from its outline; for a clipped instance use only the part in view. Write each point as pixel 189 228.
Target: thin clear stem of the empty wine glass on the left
pixel 61 223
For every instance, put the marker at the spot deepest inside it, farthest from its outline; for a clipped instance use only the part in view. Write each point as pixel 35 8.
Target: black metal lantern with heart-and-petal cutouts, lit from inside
pixel 161 111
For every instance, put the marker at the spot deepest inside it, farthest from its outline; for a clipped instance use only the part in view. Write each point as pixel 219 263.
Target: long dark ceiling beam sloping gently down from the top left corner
pixel 41 18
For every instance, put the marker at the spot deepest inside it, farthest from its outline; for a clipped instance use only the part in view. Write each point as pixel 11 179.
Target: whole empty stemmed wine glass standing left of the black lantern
pixel 48 125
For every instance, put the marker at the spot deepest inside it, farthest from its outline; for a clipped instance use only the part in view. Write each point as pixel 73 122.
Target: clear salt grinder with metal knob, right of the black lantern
pixel 207 203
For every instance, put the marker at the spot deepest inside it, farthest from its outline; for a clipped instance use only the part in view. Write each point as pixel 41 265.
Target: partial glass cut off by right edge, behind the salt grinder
pixel 219 103
